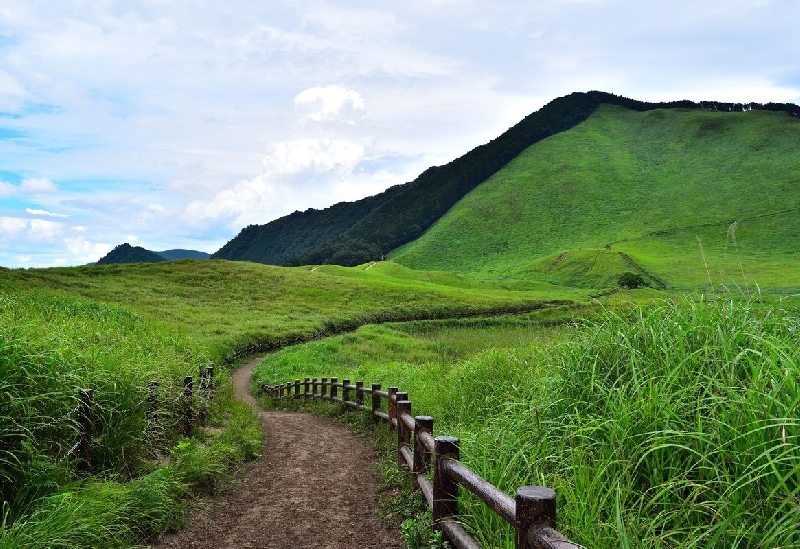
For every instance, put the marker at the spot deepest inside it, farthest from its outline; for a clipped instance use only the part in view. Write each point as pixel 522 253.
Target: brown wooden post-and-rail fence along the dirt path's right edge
pixel 532 513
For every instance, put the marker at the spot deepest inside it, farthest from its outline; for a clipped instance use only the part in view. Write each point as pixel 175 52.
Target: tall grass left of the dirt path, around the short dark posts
pixel 52 345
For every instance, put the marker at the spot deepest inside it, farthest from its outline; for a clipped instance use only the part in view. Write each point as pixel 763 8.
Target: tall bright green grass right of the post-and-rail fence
pixel 673 425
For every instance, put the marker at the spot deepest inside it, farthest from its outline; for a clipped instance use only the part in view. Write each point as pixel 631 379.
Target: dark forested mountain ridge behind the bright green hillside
pixel 350 233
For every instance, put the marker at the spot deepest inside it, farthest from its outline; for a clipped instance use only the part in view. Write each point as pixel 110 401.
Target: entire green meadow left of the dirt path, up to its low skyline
pixel 115 329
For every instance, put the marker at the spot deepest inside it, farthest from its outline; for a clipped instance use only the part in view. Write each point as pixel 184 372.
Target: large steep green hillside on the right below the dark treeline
pixel 633 191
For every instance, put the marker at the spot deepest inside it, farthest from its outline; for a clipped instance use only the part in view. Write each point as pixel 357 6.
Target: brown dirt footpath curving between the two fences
pixel 307 491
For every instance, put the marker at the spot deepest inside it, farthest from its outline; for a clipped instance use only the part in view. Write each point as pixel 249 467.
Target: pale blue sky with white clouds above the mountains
pixel 175 123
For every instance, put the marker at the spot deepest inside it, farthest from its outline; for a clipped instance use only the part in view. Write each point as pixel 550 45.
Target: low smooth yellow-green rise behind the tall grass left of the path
pixel 239 307
